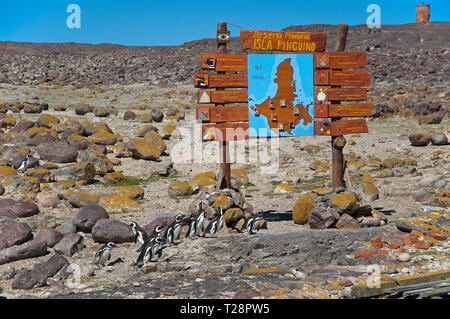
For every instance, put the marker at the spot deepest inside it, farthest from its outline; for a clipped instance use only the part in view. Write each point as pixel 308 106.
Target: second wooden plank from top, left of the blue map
pixel 206 80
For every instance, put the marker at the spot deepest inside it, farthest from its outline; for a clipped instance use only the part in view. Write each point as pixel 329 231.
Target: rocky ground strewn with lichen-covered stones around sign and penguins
pixel 117 130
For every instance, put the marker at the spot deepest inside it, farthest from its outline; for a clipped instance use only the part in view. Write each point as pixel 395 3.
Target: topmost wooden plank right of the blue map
pixel 341 60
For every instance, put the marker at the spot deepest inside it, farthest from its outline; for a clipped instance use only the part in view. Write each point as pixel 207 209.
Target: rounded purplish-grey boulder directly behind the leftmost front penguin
pixel 106 230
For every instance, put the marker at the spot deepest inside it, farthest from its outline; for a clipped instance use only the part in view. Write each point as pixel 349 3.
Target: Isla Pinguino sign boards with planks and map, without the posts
pixel 290 93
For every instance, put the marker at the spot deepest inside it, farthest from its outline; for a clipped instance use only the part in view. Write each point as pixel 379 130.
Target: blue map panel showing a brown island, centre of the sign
pixel 281 95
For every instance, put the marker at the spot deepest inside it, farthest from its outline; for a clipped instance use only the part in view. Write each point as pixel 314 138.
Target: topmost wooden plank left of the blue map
pixel 223 62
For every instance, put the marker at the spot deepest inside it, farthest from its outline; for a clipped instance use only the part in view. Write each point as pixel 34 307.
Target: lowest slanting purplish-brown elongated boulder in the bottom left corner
pixel 40 273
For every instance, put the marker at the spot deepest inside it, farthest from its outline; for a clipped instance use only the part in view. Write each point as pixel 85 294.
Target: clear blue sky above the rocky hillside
pixel 150 22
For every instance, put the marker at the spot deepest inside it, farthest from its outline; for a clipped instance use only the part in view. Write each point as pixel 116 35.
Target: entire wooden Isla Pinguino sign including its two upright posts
pixel 226 106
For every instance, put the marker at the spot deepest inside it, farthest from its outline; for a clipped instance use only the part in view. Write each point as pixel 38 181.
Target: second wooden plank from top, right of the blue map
pixel 342 78
